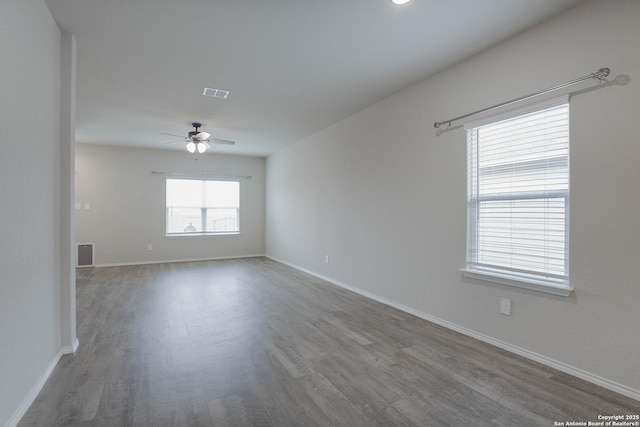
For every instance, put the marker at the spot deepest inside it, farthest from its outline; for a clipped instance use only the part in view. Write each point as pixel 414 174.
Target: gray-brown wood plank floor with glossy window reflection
pixel 252 342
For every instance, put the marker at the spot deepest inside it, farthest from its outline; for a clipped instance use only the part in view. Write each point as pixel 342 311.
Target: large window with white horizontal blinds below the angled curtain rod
pixel 518 199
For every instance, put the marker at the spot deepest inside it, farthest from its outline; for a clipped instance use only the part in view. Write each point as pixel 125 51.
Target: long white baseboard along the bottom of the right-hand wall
pixel 560 366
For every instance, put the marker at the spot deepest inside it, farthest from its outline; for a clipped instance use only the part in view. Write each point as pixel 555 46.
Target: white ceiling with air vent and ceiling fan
pixel 293 66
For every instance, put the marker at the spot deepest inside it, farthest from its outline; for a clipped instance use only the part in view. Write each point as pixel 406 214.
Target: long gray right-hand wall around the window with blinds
pixel 384 197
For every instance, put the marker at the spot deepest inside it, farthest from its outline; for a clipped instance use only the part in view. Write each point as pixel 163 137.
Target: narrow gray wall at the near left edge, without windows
pixel 30 338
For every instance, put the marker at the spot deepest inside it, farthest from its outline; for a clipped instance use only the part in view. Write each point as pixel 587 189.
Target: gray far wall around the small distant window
pixel 127 204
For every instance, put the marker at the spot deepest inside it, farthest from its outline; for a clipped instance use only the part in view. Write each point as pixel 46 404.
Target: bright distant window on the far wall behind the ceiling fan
pixel 197 207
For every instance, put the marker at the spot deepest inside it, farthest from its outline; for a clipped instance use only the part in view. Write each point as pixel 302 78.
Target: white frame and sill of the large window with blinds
pixel 558 285
